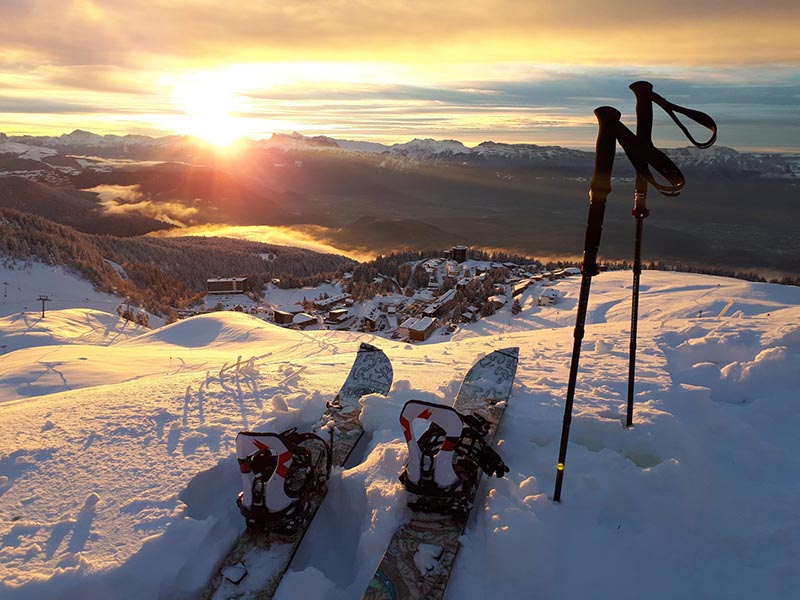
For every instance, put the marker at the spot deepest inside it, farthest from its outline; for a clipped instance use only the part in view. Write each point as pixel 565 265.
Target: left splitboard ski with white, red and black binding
pixel 284 483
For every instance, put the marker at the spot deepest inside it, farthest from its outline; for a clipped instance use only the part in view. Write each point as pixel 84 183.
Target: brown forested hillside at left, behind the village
pixel 159 274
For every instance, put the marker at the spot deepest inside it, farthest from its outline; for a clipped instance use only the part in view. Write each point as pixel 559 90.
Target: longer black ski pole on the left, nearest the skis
pixel 600 187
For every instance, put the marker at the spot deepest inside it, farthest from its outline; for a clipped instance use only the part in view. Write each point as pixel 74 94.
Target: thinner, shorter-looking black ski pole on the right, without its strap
pixel 644 128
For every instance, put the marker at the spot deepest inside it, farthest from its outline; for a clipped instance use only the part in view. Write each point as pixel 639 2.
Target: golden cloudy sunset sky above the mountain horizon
pixel 527 71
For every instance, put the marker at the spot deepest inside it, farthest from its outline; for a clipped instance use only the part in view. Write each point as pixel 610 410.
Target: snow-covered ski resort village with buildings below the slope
pixel 453 290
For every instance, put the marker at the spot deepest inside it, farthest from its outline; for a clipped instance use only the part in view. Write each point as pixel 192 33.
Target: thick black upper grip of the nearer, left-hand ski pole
pixel 608 122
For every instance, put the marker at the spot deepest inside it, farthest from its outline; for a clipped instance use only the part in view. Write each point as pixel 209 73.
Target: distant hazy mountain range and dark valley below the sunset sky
pixel 364 196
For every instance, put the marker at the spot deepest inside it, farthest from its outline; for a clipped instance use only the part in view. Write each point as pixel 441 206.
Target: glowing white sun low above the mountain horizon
pixel 209 105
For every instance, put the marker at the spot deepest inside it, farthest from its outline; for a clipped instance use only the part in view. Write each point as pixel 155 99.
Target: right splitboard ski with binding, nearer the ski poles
pixel 442 474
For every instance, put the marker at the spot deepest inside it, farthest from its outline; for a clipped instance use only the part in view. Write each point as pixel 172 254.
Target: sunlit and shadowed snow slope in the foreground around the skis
pixel 118 475
